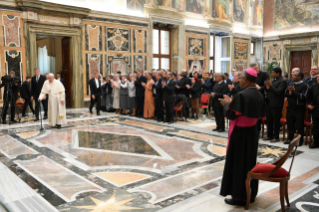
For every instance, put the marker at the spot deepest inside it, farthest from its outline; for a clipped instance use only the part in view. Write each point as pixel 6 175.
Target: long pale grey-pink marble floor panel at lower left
pixel 65 182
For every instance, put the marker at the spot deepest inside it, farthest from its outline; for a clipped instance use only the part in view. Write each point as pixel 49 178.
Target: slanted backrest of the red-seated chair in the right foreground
pixel 293 145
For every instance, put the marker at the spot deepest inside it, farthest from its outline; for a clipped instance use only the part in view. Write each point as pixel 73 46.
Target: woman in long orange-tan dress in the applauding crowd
pixel 149 104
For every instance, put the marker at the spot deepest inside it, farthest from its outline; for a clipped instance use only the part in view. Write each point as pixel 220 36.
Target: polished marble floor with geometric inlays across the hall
pixel 113 163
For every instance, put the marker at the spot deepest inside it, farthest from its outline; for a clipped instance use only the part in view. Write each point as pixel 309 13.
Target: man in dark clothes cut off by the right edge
pixel 313 106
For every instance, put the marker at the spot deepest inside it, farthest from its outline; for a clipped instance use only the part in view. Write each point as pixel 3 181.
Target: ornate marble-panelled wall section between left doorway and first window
pixel 120 48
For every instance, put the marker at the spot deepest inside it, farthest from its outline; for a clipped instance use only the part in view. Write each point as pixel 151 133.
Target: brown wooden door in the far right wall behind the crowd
pixel 302 60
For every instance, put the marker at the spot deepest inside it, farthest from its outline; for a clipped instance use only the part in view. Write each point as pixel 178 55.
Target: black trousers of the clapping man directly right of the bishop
pixel 274 115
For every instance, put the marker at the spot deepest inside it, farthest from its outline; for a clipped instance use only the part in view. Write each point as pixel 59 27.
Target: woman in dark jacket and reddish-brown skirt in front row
pixel 194 96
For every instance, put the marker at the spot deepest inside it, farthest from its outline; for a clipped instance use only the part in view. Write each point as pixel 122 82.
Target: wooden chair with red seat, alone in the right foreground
pixel 274 173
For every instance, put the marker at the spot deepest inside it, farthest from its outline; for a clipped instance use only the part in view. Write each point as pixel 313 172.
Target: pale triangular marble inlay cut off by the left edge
pixel 12 148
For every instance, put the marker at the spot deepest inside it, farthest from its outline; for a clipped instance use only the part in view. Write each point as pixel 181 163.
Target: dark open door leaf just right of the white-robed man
pixel 66 70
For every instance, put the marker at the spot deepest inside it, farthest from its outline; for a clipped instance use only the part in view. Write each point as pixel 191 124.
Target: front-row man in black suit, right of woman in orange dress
pixel 168 97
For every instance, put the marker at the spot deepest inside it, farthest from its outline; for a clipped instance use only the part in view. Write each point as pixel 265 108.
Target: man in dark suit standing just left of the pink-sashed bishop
pixel 220 89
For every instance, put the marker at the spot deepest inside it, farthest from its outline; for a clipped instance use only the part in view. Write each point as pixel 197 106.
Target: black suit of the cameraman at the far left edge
pixel 12 99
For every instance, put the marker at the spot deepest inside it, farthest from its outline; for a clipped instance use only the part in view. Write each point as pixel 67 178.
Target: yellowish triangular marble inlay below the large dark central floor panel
pixel 121 178
